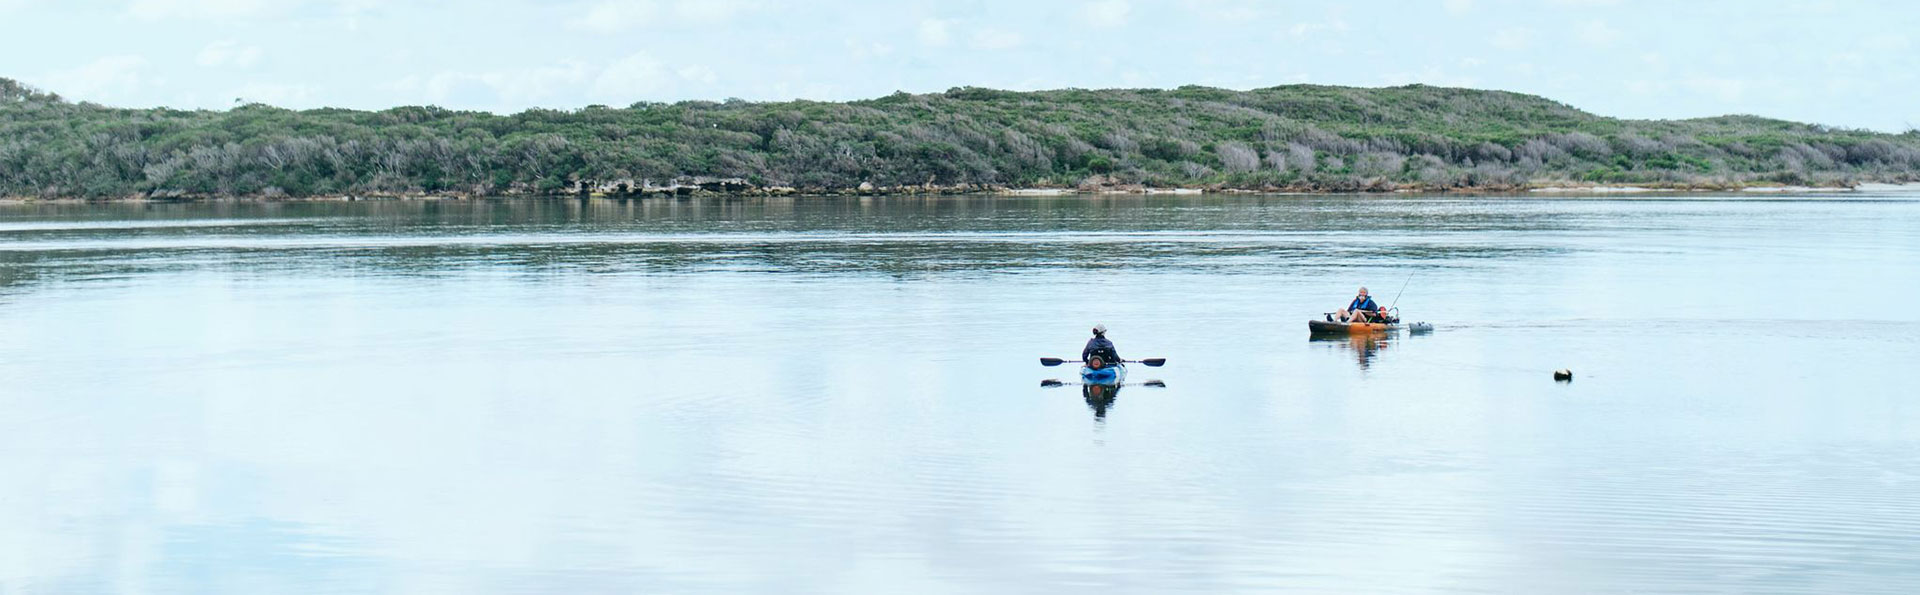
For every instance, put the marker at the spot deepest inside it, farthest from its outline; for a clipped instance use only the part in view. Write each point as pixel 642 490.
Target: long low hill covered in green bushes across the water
pixel 1280 139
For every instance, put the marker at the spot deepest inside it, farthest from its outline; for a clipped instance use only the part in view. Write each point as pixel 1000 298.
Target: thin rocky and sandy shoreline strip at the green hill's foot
pixel 997 191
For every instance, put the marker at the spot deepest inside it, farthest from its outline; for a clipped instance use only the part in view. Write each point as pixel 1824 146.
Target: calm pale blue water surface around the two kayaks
pixel 842 396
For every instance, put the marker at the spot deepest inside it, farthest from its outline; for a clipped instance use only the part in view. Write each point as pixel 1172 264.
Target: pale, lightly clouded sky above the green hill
pixel 1835 62
